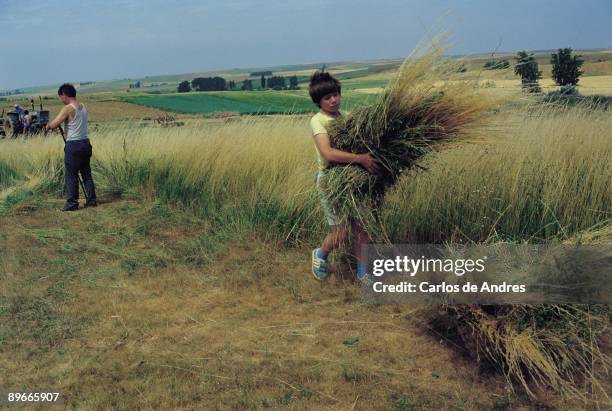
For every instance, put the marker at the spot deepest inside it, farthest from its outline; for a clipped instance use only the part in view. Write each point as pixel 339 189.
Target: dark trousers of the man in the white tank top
pixel 77 155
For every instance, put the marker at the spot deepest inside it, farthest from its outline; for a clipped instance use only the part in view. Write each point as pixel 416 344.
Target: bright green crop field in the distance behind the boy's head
pixel 244 102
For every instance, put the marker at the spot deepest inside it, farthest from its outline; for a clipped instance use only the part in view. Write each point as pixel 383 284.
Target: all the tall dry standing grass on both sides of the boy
pixel 542 173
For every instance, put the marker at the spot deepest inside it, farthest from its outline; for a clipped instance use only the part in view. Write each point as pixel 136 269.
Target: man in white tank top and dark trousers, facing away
pixel 77 151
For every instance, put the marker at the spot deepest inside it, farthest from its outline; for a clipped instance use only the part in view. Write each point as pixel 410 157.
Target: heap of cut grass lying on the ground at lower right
pixel 559 347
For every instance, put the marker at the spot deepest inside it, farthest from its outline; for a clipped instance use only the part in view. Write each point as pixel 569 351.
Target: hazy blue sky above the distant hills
pixel 68 40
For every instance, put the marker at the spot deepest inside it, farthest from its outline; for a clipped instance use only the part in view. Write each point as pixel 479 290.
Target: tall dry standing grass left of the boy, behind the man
pixel 249 173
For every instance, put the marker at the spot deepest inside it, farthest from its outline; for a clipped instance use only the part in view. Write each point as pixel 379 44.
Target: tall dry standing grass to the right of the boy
pixel 543 173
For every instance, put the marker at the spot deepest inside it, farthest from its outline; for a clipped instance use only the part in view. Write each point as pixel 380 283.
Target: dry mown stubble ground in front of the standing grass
pixel 140 305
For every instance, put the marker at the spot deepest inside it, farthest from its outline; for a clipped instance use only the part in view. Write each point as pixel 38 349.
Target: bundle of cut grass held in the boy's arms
pixel 425 105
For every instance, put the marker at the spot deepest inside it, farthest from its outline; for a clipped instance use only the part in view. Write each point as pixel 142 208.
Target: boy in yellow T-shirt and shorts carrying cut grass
pixel 325 93
